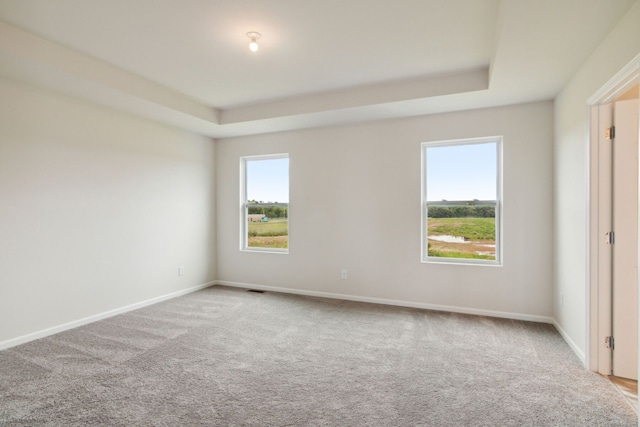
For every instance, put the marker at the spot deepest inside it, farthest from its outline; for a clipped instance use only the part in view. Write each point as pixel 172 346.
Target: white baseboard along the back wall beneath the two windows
pixel 400 303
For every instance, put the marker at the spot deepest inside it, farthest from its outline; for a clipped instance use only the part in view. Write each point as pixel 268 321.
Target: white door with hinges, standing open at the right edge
pixel 625 248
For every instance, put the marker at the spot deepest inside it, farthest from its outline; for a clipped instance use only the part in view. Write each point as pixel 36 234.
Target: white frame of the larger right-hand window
pixel 425 258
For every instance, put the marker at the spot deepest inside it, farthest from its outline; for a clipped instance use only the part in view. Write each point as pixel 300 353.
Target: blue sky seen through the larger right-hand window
pixel 462 172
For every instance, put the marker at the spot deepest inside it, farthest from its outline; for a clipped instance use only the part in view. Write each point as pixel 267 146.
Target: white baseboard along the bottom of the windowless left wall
pixel 80 322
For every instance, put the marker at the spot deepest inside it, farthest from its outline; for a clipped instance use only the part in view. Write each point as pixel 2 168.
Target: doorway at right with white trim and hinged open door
pixel 613 227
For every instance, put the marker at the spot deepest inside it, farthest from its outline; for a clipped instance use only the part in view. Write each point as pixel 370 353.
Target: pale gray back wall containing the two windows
pixel 336 174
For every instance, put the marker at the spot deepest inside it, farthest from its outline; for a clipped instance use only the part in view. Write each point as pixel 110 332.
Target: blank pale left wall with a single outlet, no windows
pixel 97 210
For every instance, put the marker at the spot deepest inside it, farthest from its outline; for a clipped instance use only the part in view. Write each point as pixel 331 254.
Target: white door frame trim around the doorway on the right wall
pixel 598 289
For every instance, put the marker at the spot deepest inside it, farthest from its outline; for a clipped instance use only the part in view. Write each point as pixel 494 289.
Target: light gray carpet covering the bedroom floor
pixel 229 357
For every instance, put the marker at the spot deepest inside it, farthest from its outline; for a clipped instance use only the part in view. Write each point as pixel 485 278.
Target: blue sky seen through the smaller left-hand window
pixel 268 180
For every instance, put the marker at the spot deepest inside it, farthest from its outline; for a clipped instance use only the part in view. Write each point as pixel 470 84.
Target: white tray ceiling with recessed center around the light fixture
pixel 187 63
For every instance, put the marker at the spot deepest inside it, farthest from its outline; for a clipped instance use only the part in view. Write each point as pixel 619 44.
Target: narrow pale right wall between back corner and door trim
pixel 571 142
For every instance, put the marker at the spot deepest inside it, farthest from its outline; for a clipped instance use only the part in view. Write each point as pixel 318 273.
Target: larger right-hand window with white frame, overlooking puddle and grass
pixel 461 201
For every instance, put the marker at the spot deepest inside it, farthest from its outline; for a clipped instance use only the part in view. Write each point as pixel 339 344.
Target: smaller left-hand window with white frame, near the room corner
pixel 265 203
